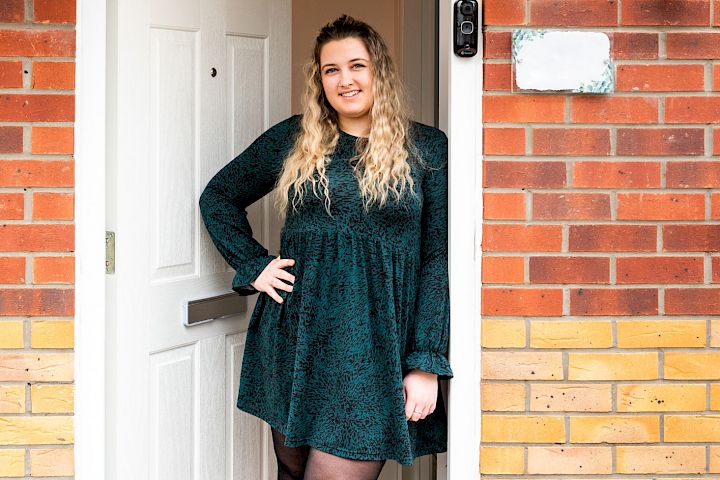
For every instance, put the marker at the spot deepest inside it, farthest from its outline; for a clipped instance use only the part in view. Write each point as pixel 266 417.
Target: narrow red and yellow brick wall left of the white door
pixel 37 48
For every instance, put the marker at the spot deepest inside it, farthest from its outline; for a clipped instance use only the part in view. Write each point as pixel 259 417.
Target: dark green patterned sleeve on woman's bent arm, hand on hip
pixel 240 183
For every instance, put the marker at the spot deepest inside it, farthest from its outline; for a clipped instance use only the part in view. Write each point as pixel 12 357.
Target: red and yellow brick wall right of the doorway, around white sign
pixel 601 326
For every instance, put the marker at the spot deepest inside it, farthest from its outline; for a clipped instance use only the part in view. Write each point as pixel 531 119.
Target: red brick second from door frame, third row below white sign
pixel 616 175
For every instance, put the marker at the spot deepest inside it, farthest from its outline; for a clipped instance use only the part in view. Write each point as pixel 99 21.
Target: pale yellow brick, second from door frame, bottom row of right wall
pixel 569 460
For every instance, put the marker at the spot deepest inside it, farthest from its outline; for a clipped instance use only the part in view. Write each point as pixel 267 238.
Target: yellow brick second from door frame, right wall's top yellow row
pixel 586 334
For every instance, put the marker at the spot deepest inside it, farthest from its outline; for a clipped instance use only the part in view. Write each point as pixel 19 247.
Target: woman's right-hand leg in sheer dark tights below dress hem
pixel 324 466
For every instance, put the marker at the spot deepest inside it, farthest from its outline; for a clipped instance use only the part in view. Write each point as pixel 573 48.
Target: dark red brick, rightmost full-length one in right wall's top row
pixel 666 12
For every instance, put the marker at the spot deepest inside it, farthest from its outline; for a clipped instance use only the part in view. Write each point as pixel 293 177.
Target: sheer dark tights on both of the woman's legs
pixel 307 463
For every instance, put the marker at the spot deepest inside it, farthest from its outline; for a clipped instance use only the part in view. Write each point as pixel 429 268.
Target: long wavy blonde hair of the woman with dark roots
pixel 382 166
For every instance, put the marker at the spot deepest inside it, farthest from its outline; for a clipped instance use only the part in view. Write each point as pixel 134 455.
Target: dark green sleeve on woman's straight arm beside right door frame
pixel 428 332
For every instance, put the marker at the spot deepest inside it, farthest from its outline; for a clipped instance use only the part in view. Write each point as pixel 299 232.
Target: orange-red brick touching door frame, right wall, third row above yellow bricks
pixel 522 238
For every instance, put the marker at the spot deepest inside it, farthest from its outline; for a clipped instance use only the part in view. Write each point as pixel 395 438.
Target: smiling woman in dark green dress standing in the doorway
pixel 345 348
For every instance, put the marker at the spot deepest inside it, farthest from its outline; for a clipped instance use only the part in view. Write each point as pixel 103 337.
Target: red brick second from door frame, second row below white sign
pixel 571 141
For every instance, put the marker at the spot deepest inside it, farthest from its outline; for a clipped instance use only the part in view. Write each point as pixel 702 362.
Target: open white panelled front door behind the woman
pixel 193 82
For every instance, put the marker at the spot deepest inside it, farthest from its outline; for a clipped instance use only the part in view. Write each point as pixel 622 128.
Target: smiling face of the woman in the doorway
pixel 347 80
